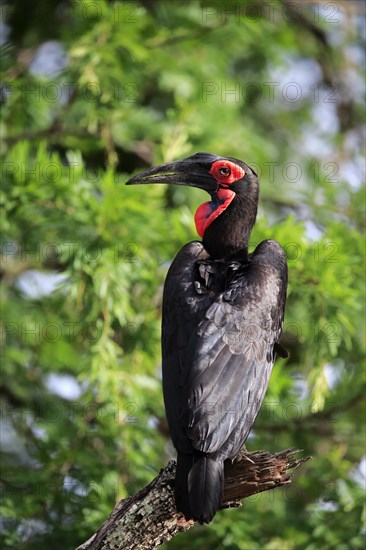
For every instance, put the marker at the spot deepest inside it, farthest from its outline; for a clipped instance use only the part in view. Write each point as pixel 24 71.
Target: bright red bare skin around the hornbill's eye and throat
pixel 225 173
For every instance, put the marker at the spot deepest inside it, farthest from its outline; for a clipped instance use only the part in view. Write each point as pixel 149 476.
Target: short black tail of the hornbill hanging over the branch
pixel 198 486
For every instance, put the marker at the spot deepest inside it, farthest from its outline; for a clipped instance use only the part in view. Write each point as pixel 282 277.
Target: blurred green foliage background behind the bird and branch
pixel 94 90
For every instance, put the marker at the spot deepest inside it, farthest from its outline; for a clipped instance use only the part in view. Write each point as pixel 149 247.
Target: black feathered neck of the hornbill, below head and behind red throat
pixel 229 232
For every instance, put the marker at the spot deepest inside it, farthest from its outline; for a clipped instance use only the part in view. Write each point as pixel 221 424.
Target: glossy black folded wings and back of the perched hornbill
pixel 219 343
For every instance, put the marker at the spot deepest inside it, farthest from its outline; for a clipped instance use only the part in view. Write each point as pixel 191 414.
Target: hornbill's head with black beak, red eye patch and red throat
pixel 223 178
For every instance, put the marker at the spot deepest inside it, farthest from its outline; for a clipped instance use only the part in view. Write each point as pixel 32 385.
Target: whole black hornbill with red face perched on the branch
pixel 223 312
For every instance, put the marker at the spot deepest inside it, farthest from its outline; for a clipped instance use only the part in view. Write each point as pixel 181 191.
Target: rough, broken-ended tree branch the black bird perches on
pixel 149 518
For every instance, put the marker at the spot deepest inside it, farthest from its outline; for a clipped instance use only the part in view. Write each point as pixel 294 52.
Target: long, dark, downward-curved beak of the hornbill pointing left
pixel 181 172
